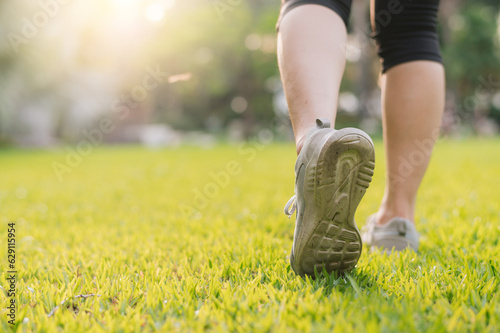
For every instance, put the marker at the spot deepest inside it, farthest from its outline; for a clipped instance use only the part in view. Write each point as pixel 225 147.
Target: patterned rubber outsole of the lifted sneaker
pixel 337 181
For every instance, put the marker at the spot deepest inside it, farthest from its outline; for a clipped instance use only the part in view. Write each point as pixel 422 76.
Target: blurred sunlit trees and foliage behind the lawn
pixel 67 64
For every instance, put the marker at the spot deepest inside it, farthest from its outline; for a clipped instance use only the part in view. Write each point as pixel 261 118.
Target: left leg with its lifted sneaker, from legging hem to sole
pixel 335 167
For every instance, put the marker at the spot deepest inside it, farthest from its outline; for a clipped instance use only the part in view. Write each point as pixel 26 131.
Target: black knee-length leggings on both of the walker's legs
pixel 405 30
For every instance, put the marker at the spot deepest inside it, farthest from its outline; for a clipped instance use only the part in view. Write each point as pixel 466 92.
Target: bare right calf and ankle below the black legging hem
pixel 412 106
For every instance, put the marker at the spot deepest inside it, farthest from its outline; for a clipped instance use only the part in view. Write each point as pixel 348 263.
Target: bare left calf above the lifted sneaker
pixel 311 55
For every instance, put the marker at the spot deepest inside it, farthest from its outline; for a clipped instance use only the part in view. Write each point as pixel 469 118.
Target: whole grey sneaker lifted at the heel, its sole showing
pixel 333 171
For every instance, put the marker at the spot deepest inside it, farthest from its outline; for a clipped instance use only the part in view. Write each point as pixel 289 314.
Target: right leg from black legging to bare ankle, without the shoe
pixel 413 91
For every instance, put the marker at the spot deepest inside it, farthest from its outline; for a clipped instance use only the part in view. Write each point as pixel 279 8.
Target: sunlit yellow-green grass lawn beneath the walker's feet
pixel 126 225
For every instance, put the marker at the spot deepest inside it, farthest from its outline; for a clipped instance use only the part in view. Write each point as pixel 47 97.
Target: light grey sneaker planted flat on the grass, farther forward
pixel 397 234
